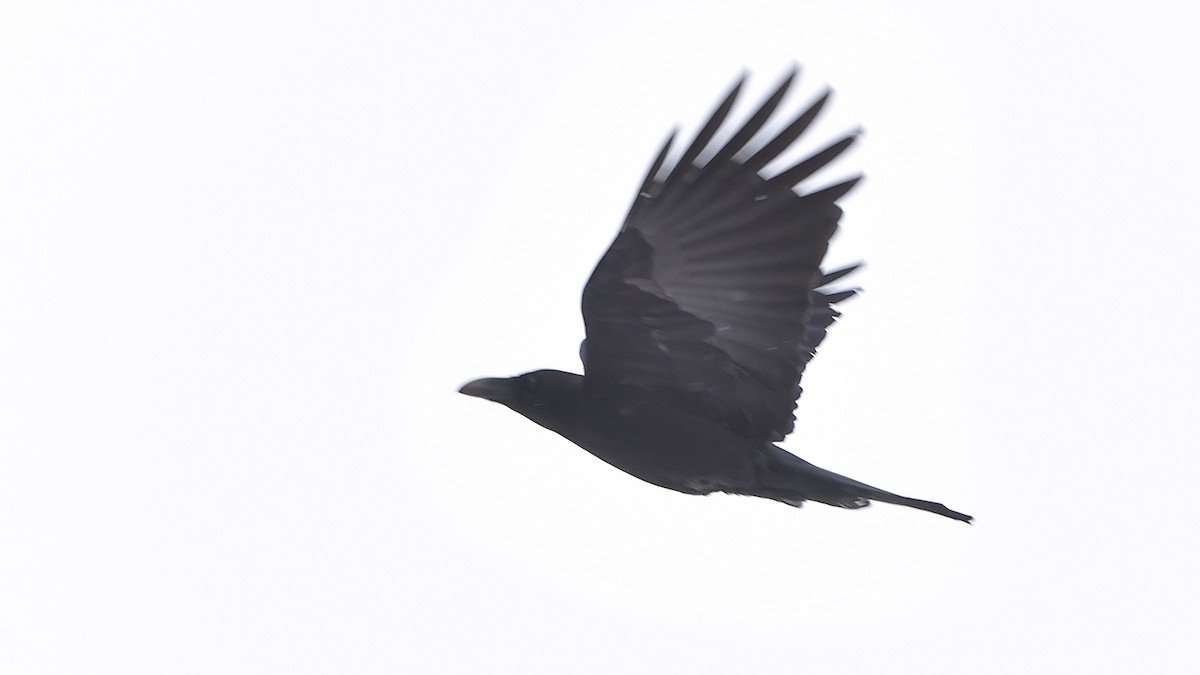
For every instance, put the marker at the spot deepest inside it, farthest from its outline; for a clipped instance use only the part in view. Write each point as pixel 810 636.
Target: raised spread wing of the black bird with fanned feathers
pixel 712 292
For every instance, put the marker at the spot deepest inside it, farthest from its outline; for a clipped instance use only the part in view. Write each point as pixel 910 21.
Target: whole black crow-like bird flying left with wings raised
pixel 700 321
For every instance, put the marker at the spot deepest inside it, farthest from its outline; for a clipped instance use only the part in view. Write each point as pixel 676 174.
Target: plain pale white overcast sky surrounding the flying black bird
pixel 250 250
